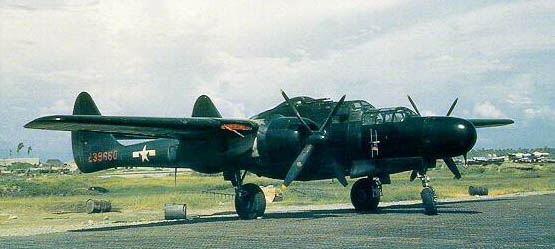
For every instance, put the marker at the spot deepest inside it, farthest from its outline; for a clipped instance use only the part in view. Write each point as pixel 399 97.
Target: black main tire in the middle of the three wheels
pixel 362 195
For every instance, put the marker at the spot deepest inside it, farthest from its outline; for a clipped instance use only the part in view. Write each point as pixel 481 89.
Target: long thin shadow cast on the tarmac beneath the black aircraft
pixel 444 208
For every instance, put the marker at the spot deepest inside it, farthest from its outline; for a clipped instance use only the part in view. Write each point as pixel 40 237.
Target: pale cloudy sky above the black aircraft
pixel 153 58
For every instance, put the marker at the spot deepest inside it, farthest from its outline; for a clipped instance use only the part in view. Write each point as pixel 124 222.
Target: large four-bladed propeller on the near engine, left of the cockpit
pixel 315 138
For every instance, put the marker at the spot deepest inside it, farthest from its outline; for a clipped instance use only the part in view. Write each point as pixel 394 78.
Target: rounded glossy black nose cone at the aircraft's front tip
pixel 448 136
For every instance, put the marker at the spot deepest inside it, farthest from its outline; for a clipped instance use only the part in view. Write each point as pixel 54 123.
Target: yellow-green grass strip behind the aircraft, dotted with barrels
pixel 34 200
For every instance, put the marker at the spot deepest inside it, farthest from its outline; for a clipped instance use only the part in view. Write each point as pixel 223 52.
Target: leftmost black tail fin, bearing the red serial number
pixel 88 145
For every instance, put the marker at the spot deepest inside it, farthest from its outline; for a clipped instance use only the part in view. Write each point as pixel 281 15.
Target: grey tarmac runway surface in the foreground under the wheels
pixel 521 222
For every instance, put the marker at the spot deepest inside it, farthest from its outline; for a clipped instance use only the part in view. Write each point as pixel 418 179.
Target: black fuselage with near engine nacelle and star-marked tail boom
pixel 359 133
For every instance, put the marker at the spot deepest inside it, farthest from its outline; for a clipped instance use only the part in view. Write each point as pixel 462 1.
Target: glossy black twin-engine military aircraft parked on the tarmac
pixel 301 139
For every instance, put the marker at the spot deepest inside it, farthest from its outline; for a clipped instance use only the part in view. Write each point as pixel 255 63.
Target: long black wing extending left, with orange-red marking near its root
pixel 146 127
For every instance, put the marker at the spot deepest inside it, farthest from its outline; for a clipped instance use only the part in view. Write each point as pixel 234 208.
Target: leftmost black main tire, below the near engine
pixel 251 203
